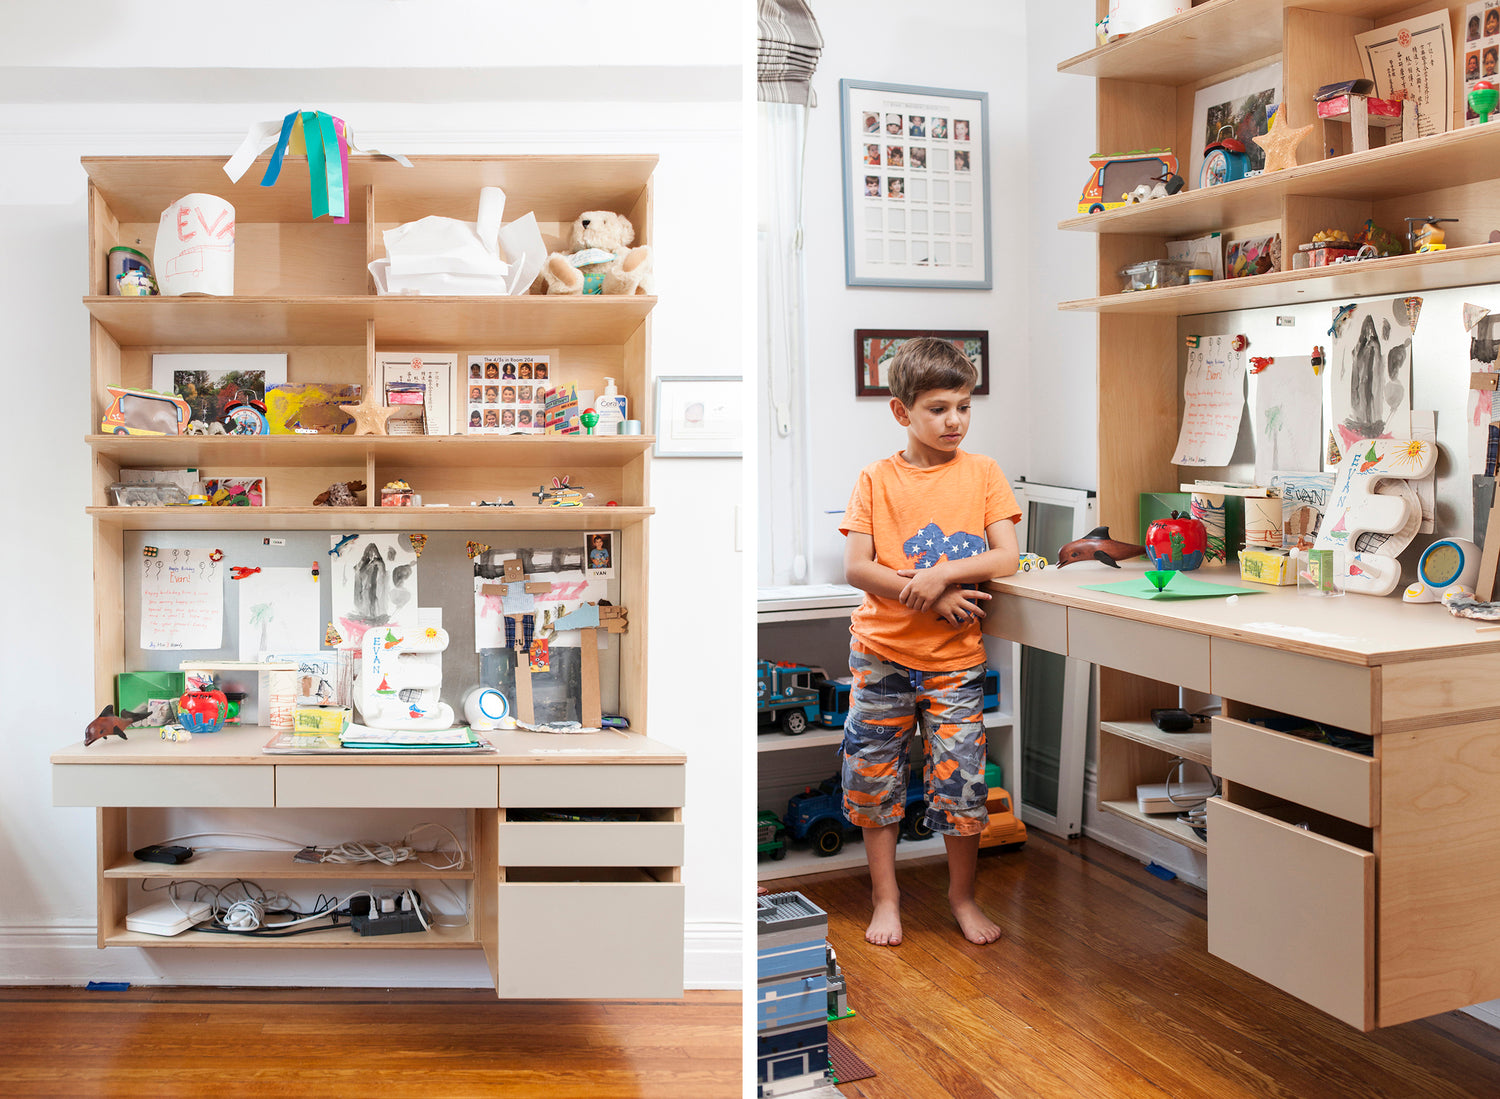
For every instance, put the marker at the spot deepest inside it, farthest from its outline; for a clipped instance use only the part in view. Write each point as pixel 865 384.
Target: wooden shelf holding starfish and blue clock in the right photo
pixel 1406 169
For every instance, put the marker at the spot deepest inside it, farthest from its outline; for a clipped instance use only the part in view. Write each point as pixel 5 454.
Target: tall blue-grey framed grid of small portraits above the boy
pixel 917 187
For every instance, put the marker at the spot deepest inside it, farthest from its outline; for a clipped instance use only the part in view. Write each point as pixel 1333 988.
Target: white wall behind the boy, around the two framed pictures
pixel 910 44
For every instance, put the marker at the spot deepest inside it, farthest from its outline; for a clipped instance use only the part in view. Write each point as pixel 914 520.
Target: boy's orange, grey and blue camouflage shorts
pixel 886 704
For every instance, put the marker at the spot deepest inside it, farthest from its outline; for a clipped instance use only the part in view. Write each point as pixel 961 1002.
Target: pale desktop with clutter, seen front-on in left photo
pixel 244 746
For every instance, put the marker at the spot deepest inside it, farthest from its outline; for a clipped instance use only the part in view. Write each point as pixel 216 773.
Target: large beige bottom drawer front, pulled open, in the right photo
pixel 1295 909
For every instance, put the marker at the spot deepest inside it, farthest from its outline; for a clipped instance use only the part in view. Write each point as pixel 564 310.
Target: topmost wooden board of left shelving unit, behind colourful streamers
pixel 140 188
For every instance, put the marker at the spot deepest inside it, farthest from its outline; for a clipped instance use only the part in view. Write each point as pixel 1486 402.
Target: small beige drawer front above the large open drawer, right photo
pixel 1331 780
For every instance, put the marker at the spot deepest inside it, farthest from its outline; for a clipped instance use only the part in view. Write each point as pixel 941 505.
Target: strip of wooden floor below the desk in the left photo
pixel 374 1044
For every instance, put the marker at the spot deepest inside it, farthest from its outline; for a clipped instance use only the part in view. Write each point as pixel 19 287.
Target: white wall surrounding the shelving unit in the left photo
pixel 47 855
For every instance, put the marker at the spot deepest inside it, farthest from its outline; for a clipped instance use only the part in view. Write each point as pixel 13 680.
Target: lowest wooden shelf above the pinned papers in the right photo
pixel 1396 275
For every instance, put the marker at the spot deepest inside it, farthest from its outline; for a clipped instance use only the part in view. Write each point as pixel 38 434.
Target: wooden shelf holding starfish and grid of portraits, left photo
pixel 416 452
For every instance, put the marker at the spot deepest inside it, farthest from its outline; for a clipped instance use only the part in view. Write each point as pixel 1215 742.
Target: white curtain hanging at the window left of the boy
pixel 782 341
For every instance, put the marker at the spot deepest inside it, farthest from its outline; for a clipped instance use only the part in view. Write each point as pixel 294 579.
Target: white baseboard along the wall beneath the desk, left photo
pixel 68 956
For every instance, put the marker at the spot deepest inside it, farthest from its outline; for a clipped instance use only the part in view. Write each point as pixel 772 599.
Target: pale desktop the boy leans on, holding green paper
pixel 1349 629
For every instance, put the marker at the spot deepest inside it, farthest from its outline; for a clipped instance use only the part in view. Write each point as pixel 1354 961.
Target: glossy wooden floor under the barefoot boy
pixel 1103 987
